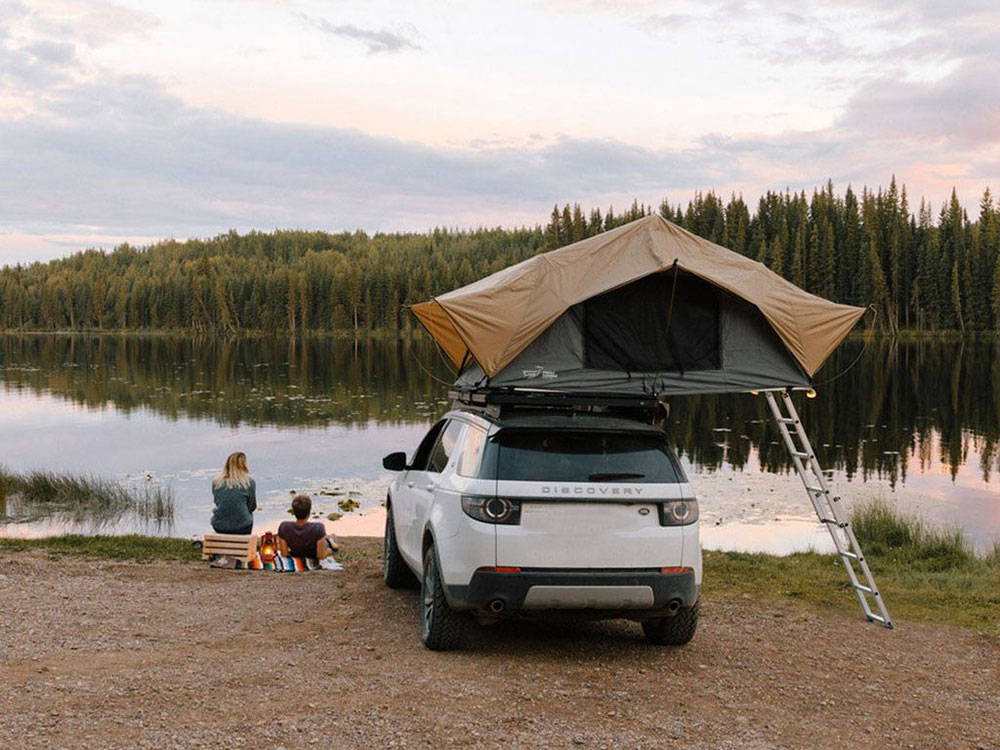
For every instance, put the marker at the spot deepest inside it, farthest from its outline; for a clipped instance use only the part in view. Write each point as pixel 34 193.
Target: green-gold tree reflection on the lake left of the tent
pixel 290 382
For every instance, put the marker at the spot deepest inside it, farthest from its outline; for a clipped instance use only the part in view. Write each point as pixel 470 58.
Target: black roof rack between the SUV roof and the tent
pixel 495 401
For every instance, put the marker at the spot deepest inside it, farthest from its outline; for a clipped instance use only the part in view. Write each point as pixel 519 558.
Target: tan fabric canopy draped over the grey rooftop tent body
pixel 493 320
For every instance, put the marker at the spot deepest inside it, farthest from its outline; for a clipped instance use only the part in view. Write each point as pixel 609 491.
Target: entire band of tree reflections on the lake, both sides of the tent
pixel 900 402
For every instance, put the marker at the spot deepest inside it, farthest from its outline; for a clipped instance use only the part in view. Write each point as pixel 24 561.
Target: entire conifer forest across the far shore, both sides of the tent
pixel 921 271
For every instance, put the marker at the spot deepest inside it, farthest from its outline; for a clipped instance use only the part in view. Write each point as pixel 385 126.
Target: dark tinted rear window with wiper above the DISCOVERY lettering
pixel 579 457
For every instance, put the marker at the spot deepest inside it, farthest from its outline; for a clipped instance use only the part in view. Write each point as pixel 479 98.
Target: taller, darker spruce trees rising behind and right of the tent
pixel 919 273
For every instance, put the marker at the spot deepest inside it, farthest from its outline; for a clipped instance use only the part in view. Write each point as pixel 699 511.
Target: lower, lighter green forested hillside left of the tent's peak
pixel 285 281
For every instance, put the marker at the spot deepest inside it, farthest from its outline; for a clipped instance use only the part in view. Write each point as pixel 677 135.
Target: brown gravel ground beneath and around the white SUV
pixel 109 654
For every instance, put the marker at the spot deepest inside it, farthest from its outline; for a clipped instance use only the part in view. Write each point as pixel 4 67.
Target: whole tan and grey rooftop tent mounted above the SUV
pixel 647 308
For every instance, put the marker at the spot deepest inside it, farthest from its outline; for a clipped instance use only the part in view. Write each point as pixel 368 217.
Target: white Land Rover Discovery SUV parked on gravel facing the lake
pixel 566 511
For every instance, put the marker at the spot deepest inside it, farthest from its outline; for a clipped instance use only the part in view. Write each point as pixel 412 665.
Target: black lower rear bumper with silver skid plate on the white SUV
pixel 632 592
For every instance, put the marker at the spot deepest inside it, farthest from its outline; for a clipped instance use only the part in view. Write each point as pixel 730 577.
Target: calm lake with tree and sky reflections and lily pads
pixel 916 424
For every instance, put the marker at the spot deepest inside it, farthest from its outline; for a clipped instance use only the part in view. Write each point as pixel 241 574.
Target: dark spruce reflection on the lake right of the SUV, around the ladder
pixel 900 405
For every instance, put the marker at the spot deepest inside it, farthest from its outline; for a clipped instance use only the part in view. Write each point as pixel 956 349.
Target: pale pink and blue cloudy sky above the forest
pixel 140 120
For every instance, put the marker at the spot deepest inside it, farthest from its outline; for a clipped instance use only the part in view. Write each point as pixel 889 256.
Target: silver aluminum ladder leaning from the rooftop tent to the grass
pixel 827 506
